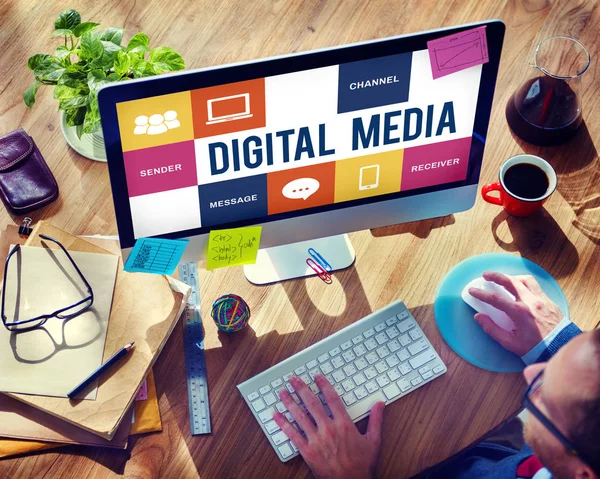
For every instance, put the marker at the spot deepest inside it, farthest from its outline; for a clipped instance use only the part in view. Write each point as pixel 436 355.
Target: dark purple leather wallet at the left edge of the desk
pixel 26 182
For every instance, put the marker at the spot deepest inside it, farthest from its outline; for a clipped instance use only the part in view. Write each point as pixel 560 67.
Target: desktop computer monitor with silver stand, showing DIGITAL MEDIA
pixel 310 145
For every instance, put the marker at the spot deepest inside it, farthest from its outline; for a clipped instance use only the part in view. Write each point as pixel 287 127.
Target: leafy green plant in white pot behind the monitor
pixel 86 60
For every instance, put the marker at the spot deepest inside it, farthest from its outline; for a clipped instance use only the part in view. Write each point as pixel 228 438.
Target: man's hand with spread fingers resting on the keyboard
pixel 331 446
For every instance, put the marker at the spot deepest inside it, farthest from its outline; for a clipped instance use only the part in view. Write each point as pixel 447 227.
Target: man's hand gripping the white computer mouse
pixel 533 313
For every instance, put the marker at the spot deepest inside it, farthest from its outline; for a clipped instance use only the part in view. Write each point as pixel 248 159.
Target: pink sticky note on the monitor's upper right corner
pixel 457 52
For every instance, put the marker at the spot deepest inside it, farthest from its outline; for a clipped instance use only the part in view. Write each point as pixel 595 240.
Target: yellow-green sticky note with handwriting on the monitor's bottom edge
pixel 232 247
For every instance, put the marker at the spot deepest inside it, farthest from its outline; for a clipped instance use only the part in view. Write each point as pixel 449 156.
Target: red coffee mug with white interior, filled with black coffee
pixel 526 182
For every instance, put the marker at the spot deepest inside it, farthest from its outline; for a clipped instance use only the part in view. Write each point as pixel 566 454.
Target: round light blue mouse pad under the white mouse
pixel 455 320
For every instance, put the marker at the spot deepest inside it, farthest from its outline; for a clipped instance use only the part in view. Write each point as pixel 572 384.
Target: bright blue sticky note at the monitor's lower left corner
pixel 155 255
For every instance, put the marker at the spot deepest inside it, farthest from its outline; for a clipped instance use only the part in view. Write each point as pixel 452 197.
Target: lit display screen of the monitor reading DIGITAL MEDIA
pixel 216 153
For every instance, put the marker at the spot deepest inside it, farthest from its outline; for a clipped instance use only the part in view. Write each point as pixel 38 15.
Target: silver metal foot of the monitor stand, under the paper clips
pixel 289 261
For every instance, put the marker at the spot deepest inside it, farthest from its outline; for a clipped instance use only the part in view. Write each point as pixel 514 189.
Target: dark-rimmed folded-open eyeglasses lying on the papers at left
pixel 67 312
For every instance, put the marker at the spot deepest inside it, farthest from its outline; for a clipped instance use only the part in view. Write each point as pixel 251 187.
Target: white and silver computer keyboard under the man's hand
pixel 381 357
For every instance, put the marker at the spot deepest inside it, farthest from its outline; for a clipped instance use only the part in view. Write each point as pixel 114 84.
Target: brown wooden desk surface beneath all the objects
pixel 406 261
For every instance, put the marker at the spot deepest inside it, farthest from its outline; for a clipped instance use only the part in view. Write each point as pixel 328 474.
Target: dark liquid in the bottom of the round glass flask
pixel 544 111
